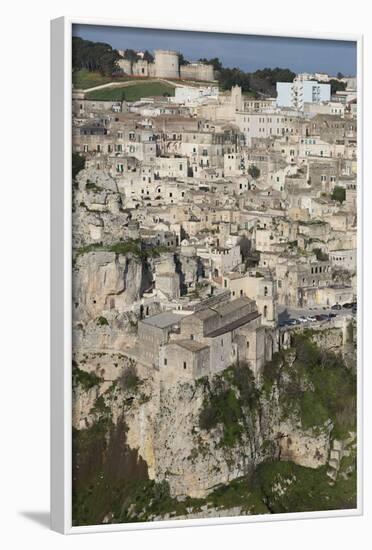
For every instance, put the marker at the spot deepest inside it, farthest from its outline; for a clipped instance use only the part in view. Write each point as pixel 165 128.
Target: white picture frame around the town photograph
pixel 61 288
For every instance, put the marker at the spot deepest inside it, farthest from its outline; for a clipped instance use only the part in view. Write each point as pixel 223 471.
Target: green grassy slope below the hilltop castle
pixel 133 92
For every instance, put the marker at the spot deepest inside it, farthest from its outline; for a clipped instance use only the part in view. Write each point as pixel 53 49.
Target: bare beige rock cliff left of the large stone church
pixel 105 285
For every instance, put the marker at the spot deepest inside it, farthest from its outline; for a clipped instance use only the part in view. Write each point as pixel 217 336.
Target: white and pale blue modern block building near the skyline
pixel 295 94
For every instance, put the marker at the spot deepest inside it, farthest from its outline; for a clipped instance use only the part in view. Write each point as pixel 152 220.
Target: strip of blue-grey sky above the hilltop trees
pixel 248 52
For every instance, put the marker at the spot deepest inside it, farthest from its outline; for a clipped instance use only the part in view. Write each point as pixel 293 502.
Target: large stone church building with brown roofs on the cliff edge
pixel 188 345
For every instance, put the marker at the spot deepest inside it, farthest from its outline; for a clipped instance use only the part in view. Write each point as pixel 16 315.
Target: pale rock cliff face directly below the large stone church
pixel 163 426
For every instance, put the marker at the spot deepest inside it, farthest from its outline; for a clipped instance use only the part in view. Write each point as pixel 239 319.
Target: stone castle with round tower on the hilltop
pixel 166 65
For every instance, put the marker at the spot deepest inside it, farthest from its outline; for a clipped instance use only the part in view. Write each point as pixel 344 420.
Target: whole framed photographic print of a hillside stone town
pixel 206 281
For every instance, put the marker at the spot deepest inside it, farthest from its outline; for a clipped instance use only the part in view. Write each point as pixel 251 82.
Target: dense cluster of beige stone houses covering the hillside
pixel 252 201
